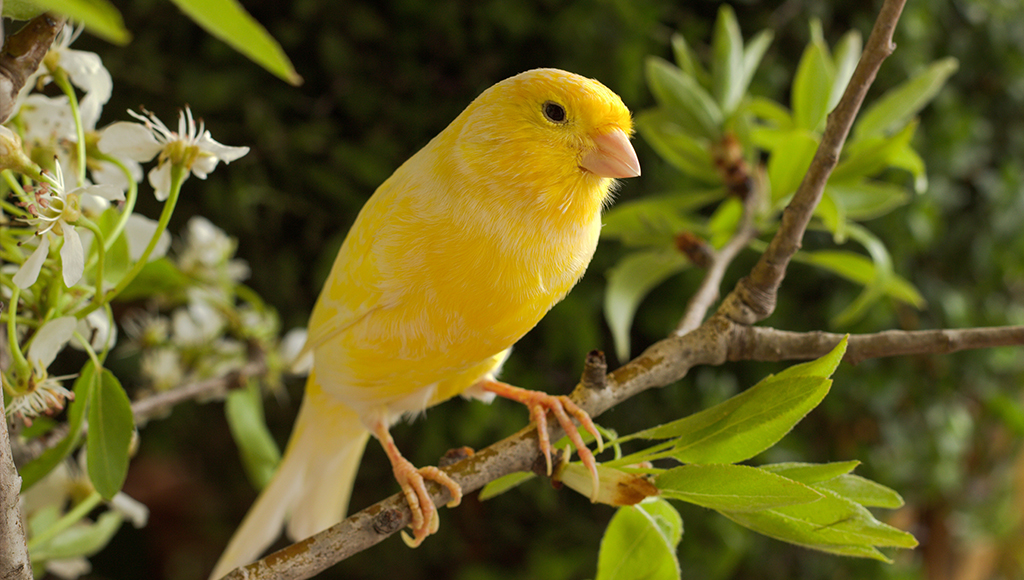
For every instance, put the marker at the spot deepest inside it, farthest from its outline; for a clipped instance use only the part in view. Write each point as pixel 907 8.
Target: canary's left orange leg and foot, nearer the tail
pixel 425 518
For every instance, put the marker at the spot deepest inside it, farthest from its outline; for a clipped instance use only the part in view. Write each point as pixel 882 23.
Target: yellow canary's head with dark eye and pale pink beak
pixel 551 132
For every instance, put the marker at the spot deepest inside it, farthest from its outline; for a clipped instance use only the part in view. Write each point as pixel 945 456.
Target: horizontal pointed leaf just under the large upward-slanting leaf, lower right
pixel 733 488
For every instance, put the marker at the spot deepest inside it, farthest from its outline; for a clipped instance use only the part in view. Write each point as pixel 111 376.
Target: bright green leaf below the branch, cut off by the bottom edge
pixel 638 544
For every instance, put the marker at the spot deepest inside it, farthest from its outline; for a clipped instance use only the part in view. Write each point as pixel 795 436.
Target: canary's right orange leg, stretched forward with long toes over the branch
pixel 539 405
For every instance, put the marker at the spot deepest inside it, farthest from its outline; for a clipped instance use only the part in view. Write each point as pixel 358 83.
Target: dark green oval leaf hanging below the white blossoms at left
pixel 111 427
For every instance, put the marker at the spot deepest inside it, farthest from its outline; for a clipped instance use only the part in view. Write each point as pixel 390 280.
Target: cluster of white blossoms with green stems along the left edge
pixel 71 243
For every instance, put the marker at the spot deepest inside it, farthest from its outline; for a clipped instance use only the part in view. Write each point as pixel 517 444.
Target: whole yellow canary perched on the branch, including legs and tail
pixel 453 260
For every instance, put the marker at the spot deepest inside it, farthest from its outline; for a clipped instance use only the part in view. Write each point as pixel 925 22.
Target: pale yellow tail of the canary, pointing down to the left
pixel 312 487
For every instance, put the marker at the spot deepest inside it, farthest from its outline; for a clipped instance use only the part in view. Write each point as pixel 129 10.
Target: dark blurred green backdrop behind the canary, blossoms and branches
pixel 385 76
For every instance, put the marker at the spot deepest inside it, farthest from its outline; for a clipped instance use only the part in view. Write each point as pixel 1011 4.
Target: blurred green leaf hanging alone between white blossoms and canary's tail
pixel 244 409
